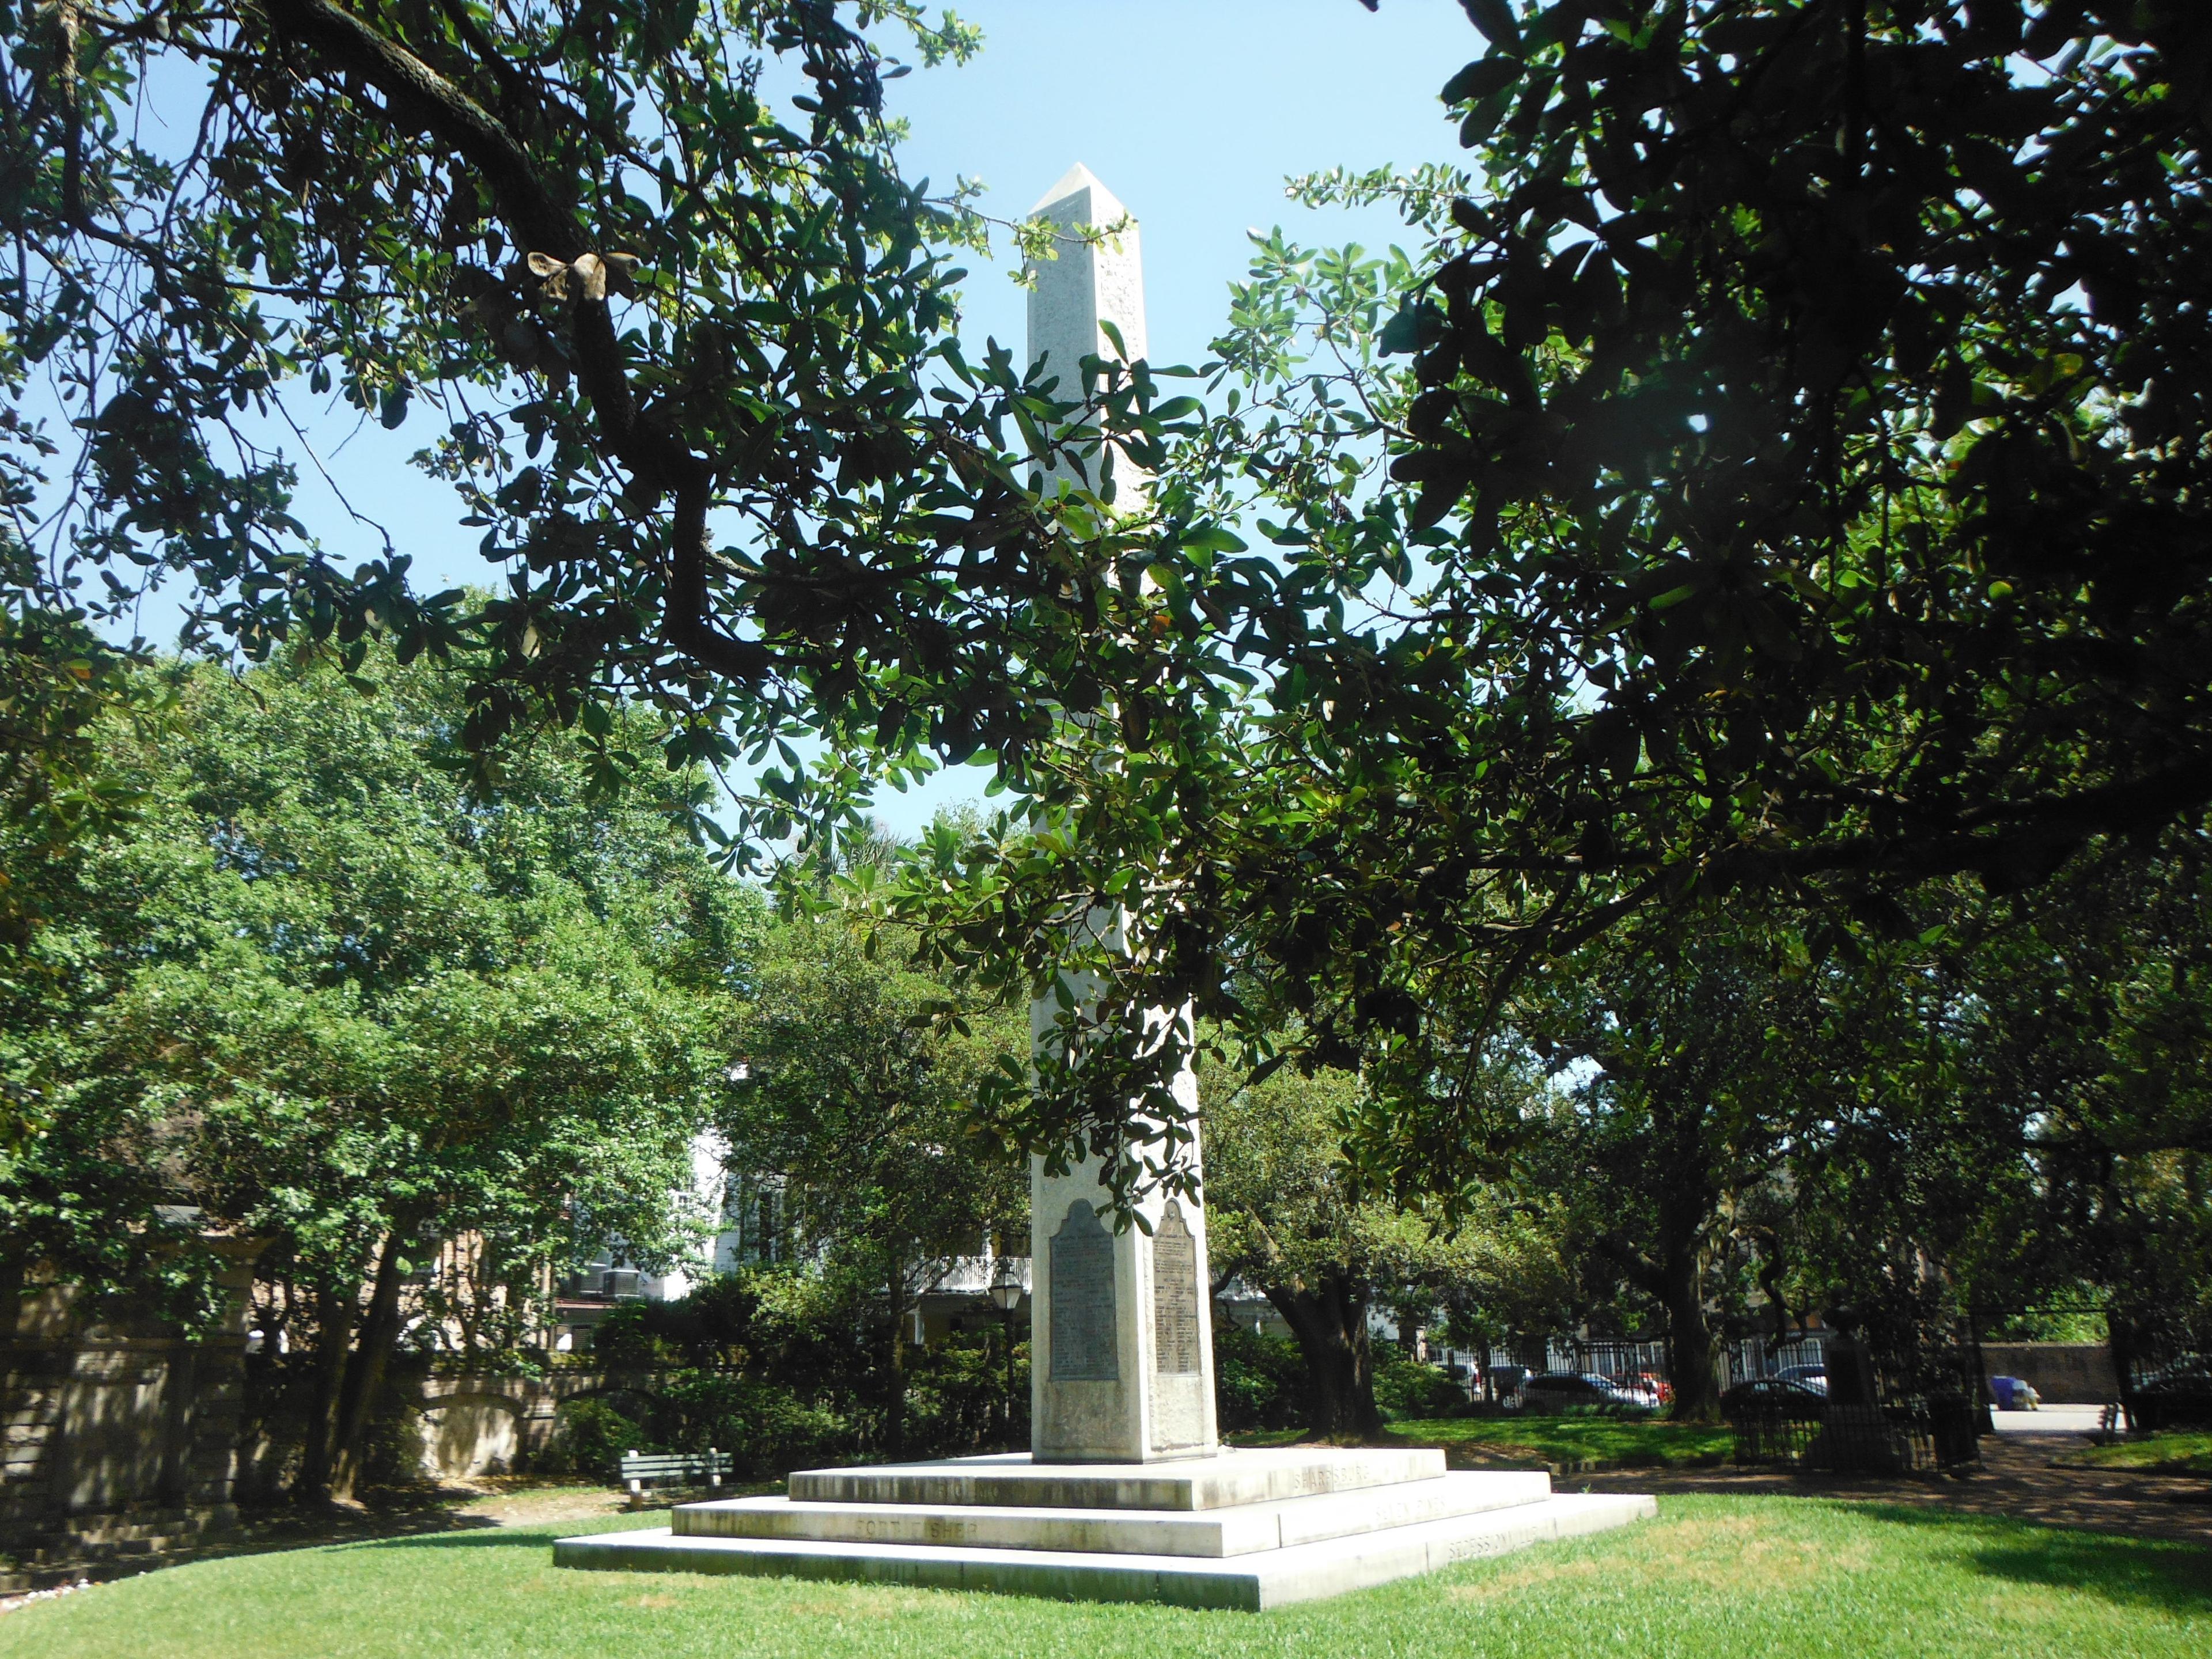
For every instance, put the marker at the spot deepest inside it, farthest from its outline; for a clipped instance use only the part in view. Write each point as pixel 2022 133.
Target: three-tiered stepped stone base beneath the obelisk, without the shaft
pixel 1249 1530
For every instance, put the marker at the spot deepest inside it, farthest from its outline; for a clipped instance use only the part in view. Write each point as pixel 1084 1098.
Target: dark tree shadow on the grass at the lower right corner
pixel 2133 1572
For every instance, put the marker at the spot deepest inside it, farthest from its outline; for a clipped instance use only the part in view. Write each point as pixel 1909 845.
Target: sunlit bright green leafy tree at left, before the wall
pixel 328 997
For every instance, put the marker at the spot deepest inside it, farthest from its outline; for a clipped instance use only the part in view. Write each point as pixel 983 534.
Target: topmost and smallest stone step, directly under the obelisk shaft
pixel 1014 1481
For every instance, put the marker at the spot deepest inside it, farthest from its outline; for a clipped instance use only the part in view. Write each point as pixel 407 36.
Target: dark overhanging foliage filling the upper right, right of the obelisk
pixel 1795 492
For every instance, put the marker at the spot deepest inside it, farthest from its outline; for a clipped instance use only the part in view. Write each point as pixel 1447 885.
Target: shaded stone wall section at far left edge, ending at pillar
pixel 118 1441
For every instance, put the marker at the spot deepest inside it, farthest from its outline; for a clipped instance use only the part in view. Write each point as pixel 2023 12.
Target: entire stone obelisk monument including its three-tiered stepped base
pixel 1127 1494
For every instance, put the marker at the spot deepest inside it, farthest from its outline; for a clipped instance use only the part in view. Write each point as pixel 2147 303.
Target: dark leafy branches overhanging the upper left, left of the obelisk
pixel 687 362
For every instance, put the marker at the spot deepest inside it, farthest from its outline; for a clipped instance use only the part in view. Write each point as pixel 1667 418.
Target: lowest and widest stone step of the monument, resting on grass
pixel 1260 1580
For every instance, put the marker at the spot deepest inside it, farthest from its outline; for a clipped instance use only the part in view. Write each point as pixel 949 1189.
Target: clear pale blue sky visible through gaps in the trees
pixel 1193 112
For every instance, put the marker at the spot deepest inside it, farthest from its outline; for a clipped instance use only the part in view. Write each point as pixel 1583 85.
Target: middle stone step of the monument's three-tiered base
pixel 1120 1532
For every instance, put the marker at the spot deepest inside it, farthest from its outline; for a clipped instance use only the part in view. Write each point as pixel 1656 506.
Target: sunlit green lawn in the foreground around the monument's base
pixel 1711 1578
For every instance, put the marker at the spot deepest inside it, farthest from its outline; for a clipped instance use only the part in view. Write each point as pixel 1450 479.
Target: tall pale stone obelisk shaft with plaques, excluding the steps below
pixel 1123 1357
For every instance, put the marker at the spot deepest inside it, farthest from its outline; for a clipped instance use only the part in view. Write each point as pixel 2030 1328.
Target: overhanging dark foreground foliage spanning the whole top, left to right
pixel 1771 479
